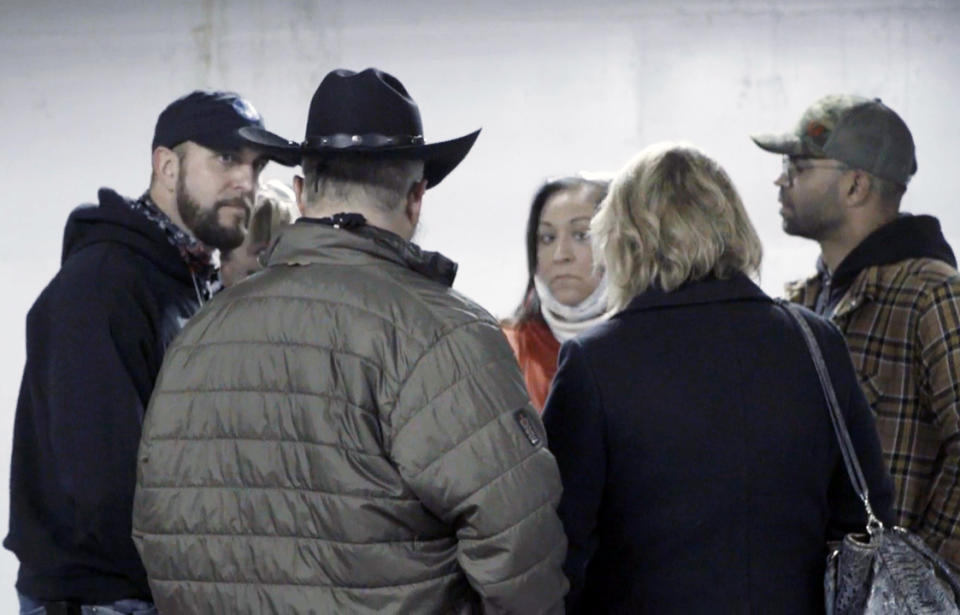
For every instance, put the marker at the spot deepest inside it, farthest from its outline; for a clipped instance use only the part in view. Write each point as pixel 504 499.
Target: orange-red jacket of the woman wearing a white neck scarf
pixel 537 352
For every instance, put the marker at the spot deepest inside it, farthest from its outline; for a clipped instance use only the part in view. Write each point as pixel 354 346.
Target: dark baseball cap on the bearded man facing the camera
pixel 208 118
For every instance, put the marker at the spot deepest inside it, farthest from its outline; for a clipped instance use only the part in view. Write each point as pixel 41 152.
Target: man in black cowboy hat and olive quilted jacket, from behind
pixel 343 432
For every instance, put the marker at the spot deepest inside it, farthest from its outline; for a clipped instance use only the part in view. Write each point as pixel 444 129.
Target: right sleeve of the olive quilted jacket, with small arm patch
pixel 468 443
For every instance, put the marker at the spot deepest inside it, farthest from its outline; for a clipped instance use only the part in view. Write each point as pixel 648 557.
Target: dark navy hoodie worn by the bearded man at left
pixel 95 341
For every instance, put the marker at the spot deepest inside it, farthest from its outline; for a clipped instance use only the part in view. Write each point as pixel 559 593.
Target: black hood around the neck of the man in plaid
pixel 905 237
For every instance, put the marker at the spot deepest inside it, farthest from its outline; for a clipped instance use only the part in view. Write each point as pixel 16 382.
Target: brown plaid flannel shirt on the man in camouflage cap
pixel 902 325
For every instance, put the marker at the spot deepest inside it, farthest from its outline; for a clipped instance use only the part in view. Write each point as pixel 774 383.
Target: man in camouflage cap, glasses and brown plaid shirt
pixel 889 280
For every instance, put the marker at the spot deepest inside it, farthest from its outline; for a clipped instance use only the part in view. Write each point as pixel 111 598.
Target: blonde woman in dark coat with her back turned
pixel 700 469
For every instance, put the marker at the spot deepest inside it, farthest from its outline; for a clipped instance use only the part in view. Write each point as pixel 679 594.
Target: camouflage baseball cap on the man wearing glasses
pixel 860 132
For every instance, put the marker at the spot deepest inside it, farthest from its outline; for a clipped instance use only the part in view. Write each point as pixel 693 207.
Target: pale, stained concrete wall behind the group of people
pixel 557 87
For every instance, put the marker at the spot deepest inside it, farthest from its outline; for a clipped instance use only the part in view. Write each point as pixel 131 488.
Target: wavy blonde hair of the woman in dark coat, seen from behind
pixel 672 216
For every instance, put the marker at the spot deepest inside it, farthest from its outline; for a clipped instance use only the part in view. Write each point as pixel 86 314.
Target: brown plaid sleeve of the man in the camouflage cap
pixel 939 347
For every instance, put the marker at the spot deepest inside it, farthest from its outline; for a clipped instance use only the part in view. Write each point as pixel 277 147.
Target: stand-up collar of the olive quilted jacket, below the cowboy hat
pixel 310 240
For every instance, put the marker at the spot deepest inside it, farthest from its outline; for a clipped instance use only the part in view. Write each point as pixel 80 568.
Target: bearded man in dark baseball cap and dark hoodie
pixel 132 273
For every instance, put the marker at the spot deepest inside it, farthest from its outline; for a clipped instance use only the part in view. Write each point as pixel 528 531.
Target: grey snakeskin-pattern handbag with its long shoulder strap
pixel 885 570
